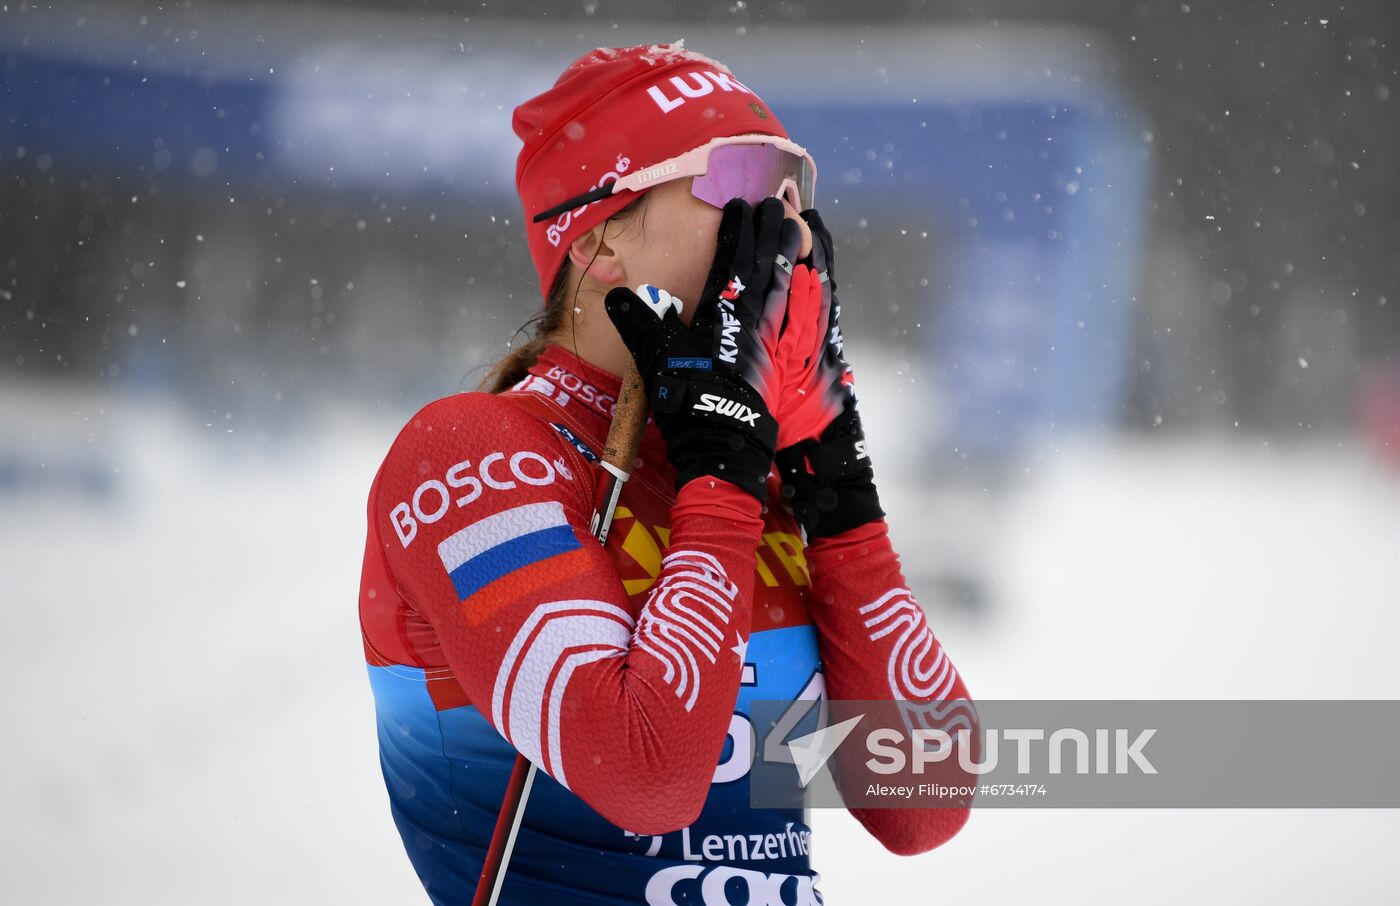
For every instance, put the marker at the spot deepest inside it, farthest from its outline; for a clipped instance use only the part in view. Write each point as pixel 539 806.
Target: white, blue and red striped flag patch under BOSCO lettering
pixel 524 547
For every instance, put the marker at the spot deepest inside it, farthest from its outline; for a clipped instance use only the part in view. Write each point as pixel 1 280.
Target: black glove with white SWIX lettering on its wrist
pixel 712 386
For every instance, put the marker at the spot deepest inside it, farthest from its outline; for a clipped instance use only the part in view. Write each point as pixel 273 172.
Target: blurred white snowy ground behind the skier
pixel 188 718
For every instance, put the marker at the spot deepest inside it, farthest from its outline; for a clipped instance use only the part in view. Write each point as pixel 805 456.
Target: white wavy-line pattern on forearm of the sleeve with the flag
pixel 687 615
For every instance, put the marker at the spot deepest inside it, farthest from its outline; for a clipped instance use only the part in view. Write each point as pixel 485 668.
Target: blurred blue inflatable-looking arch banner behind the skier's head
pixel 1013 149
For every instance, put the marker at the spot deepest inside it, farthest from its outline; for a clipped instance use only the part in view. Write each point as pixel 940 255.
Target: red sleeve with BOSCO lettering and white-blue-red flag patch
pixel 485 530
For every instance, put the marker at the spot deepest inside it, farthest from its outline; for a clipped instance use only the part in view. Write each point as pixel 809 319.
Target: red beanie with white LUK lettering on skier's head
pixel 612 111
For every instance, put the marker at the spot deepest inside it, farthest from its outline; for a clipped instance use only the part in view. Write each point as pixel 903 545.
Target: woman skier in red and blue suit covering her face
pixel 495 622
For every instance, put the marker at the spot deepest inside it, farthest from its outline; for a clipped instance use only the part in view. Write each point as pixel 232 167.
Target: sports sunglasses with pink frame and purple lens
pixel 748 167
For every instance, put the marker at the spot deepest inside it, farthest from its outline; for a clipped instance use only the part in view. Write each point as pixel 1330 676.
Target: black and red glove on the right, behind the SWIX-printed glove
pixel 822 456
